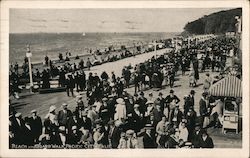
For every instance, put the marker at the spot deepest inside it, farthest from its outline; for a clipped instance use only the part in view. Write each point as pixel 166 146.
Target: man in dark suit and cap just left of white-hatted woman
pixel 36 125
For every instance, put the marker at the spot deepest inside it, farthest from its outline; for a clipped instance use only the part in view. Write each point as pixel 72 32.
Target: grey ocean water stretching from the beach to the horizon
pixel 51 44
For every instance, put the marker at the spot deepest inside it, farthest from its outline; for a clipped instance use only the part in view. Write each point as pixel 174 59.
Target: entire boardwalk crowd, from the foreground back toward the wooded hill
pixel 113 118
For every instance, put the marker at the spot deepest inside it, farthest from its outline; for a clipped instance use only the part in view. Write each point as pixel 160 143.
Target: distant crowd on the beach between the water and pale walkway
pixel 59 69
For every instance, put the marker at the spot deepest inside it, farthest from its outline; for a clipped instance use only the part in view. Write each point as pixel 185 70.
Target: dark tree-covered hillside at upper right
pixel 216 23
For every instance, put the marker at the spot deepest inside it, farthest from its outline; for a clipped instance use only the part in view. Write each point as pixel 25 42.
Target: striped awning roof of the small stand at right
pixel 229 86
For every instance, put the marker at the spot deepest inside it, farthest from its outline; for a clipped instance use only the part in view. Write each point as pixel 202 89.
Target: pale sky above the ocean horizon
pixel 104 20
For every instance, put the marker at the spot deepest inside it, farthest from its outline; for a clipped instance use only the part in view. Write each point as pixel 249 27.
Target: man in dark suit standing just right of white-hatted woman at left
pixel 64 115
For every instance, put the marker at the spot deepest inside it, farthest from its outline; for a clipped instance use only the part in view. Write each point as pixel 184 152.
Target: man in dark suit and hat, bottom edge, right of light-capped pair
pixel 149 139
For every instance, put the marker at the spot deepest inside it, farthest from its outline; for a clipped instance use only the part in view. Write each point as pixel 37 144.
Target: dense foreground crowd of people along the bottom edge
pixel 117 122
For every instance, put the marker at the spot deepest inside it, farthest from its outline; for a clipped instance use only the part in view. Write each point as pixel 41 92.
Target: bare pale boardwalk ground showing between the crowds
pixel 42 102
